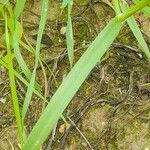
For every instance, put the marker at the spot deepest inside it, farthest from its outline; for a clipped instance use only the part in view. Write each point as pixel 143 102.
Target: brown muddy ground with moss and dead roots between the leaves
pixel 111 111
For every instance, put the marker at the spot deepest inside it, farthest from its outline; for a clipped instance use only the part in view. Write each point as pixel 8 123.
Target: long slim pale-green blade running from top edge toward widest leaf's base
pixel 37 53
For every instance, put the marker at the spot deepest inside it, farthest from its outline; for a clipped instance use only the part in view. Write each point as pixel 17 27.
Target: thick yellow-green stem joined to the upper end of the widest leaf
pixel 133 10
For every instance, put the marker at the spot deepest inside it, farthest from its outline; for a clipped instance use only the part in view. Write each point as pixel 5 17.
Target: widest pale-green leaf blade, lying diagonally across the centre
pixel 71 84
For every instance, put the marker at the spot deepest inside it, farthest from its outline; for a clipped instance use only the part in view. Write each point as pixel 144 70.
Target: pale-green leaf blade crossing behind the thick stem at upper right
pixel 136 31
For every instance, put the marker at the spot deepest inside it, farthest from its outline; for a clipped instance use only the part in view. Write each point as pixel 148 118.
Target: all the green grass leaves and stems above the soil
pixel 68 88
